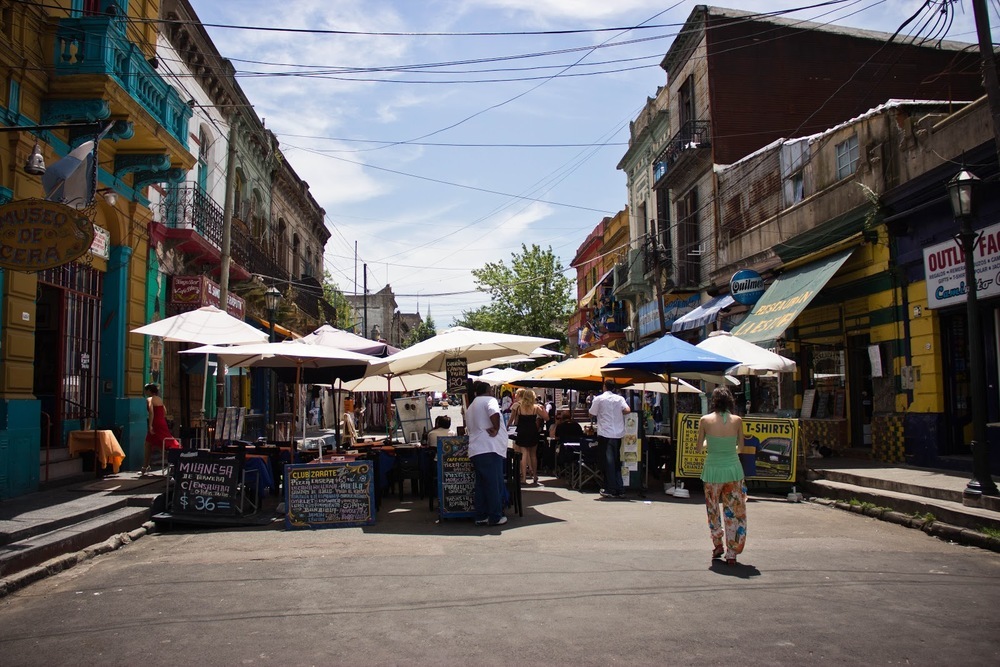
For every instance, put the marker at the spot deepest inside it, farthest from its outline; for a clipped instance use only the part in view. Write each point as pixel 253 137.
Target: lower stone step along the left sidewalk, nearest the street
pixel 33 550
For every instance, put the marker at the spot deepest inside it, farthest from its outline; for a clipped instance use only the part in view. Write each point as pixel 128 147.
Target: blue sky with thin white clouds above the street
pixel 434 170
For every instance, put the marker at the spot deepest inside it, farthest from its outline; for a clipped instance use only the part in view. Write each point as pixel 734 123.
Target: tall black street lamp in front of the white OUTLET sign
pixel 961 189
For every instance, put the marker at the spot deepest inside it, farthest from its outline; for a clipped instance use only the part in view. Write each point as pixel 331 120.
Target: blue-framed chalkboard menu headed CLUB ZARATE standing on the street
pixel 330 495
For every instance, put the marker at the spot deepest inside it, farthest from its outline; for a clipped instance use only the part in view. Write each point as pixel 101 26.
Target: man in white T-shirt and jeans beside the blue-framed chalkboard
pixel 487 450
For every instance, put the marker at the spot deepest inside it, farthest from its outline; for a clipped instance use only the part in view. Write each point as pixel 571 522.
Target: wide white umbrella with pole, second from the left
pixel 332 362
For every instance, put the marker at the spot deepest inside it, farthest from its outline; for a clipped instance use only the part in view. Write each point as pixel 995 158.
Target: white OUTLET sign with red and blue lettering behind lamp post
pixel 944 266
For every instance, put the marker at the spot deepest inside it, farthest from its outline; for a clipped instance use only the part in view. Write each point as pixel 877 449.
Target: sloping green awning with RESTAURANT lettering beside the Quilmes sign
pixel 788 296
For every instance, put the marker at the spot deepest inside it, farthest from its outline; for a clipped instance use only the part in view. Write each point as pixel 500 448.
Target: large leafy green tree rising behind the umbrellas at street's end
pixel 531 297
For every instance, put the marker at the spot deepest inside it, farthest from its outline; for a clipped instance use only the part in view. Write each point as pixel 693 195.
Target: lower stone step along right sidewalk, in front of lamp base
pixel 948 511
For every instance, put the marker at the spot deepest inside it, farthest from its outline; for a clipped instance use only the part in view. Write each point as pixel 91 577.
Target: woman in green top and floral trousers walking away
pixel 721 433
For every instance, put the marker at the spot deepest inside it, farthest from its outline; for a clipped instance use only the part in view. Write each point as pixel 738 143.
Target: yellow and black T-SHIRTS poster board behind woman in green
pixel 774 442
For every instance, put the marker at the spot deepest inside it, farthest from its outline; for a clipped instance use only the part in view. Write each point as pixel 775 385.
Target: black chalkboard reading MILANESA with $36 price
pixel 206 484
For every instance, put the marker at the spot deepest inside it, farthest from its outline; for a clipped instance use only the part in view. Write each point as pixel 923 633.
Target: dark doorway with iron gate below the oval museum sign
pixel 67 342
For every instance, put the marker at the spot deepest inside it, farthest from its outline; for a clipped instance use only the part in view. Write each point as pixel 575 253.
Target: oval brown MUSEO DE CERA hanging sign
pixel 36 235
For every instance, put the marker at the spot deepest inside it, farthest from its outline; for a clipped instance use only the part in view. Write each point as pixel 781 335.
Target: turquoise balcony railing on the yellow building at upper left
pixel 98 45
